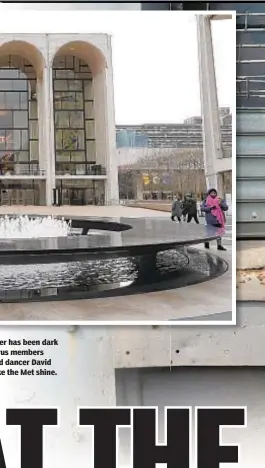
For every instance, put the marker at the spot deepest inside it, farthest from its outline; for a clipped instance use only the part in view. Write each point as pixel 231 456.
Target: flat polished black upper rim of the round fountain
pixel 29 251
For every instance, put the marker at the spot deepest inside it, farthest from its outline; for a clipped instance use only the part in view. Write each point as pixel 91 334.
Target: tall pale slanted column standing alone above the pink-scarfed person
pixel 209 103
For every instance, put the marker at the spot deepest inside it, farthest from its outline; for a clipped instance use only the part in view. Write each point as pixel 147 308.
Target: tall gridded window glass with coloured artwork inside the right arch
pixel 73 115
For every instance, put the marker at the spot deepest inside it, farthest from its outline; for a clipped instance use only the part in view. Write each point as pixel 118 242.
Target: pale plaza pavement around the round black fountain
pixel 202 300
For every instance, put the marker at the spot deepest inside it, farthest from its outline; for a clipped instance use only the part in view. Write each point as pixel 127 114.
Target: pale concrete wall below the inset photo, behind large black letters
pixel 86 360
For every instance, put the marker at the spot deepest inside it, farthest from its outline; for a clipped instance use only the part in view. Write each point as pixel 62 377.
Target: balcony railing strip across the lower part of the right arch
pixel 79 169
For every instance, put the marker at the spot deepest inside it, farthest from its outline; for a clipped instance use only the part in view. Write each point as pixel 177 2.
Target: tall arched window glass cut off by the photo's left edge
pixel 19 146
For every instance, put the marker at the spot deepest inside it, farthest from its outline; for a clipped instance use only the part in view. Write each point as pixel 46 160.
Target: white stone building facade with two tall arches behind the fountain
pixel 57 127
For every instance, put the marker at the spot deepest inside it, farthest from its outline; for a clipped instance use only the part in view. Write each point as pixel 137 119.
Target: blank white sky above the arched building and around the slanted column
pixel 154 57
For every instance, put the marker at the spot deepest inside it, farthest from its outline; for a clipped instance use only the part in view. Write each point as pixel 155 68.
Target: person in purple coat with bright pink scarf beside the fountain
pixel 214 208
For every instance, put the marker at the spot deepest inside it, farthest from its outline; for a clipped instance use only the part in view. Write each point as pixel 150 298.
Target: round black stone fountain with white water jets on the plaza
pixel 56 258
